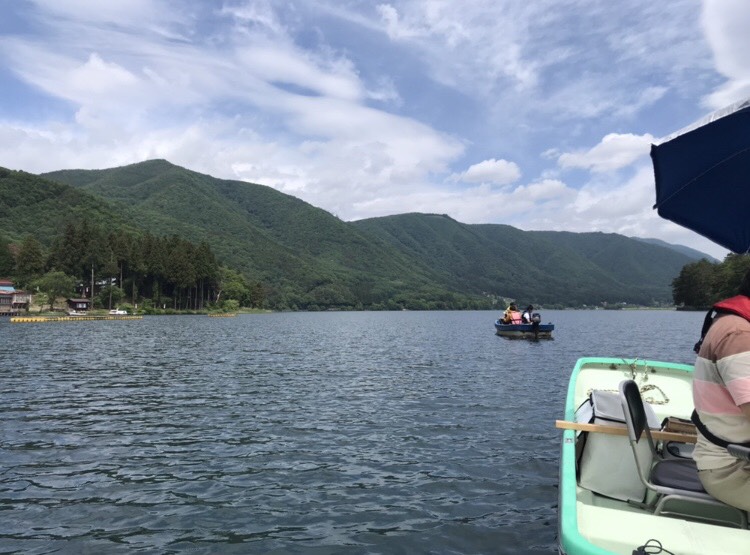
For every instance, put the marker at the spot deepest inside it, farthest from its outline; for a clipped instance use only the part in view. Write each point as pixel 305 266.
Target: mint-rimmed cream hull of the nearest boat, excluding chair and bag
pixel 590 523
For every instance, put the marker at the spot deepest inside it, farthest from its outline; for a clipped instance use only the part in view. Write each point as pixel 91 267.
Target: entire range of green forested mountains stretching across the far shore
pixel 307 258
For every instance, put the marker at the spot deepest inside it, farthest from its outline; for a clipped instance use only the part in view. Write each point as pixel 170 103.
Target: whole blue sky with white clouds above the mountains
pixel 538 114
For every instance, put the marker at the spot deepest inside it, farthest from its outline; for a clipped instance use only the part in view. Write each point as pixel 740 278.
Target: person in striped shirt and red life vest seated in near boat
pixel 721 394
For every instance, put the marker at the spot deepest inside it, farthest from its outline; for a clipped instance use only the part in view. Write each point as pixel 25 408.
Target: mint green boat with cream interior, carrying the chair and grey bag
pixel 604 506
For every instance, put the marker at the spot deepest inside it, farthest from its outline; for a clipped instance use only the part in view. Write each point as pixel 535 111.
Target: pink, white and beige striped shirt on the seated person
pixel 721 384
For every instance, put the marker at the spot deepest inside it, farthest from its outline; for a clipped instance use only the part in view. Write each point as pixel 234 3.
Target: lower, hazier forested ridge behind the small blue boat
pixel 543 267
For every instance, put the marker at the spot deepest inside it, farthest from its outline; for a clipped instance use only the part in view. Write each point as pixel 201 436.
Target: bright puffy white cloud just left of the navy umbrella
pixel 614 152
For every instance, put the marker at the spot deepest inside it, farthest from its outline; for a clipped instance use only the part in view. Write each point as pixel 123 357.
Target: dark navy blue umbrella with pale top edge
pixel 703 177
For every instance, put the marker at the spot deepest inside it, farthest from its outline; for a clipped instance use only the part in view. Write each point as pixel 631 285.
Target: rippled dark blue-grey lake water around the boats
pixel 309 433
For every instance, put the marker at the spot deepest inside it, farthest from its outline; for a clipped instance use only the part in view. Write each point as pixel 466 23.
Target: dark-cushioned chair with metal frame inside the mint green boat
pixel 673 482
